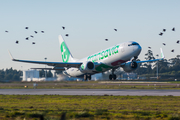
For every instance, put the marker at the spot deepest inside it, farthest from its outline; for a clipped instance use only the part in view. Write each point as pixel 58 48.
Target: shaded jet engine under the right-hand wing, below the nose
pixel 130 66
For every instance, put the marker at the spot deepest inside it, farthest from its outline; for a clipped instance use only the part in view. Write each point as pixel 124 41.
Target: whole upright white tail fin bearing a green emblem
pixel 66 55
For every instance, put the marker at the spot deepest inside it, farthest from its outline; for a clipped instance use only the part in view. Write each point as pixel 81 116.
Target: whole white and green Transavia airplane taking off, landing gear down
pixel 120 55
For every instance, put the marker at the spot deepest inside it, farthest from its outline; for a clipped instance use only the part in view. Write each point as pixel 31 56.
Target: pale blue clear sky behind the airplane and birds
pixel 88 23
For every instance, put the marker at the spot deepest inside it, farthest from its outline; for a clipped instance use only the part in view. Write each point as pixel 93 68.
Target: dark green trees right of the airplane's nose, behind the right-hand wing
pixel 166 68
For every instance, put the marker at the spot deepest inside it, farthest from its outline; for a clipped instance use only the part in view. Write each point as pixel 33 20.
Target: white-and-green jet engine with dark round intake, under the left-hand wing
pixel 87 67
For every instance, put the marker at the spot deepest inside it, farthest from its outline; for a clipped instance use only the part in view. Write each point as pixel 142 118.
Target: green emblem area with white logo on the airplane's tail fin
pixel 64 52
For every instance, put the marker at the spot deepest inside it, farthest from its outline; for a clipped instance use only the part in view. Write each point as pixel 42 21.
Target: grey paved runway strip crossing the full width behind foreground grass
pixel 114 92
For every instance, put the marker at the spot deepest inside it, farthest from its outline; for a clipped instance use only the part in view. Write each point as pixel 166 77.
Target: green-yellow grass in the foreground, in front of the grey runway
pixel 88 107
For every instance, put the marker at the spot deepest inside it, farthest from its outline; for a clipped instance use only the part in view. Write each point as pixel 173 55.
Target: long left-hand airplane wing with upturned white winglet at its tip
pixel 55 64
